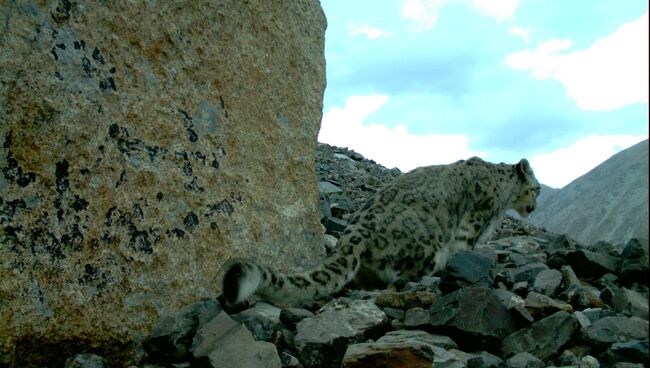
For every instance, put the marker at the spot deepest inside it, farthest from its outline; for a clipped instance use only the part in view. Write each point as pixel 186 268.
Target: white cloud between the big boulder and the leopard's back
pixel 391 147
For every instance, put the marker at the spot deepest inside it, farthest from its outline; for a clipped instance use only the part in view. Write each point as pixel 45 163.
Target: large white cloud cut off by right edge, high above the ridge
pixel 611 73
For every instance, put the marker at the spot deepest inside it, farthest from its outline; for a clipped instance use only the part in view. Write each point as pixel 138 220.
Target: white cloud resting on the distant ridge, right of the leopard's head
pixel 558 168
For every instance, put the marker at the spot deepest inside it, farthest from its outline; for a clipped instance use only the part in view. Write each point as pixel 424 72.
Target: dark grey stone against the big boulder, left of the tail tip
pixel 171 338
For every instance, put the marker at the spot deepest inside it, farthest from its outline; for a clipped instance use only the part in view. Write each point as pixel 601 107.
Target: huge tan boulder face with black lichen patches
pixel 142 145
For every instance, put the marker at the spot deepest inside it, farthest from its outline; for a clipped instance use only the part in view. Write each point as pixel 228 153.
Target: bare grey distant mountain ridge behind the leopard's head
pixel 608 203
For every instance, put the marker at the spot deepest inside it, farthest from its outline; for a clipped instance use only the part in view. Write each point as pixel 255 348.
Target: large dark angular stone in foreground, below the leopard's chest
pixel 473 315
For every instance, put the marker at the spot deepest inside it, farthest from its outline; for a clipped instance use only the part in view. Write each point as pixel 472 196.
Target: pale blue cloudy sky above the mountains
pixel 421 82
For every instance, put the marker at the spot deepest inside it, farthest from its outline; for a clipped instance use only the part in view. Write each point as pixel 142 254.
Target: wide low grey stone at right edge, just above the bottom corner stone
pixel 609 330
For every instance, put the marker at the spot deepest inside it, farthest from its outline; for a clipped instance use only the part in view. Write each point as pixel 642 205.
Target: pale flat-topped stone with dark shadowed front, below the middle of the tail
pixel 321 341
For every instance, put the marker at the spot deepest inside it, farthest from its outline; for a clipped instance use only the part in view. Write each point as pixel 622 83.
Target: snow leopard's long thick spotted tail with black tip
pixel 246 278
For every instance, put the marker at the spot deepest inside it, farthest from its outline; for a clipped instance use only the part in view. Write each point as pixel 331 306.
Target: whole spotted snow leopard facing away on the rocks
pixel 406 230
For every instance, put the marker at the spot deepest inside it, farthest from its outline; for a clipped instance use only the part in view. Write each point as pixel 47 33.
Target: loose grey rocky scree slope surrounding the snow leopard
pixel 527 298
